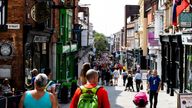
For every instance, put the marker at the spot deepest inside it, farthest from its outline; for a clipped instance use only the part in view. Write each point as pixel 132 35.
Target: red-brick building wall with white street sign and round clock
pixel 11 41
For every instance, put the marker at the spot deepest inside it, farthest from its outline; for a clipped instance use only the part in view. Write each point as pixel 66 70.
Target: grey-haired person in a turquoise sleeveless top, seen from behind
pixel 38 98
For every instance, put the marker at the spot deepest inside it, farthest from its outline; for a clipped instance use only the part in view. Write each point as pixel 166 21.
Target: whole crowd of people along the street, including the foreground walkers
pixel 92 76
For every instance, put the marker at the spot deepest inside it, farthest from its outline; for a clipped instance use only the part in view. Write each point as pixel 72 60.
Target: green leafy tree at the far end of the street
pixel 100 42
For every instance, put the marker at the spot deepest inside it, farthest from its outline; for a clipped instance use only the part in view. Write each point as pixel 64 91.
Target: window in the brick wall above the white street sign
pixel 3 15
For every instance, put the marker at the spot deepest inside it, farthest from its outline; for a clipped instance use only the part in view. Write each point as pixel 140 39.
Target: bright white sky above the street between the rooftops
pixel 107 16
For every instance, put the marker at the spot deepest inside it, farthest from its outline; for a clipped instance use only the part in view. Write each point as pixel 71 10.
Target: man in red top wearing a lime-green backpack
pixel 90 95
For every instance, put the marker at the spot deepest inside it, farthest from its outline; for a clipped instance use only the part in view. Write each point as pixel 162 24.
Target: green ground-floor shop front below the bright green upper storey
pixel 66 62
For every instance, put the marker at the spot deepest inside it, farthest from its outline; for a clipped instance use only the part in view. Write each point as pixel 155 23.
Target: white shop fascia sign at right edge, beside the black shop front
pixel 187 39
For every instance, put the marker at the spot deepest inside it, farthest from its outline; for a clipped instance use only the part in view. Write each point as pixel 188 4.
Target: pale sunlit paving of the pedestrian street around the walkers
pixel 124 99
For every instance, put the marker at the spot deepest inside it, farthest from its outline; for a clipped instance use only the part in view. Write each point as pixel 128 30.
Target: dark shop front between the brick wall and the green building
pixel 36 52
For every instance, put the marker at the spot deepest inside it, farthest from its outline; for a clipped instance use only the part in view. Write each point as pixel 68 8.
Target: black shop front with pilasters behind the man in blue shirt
pixel 172 63
